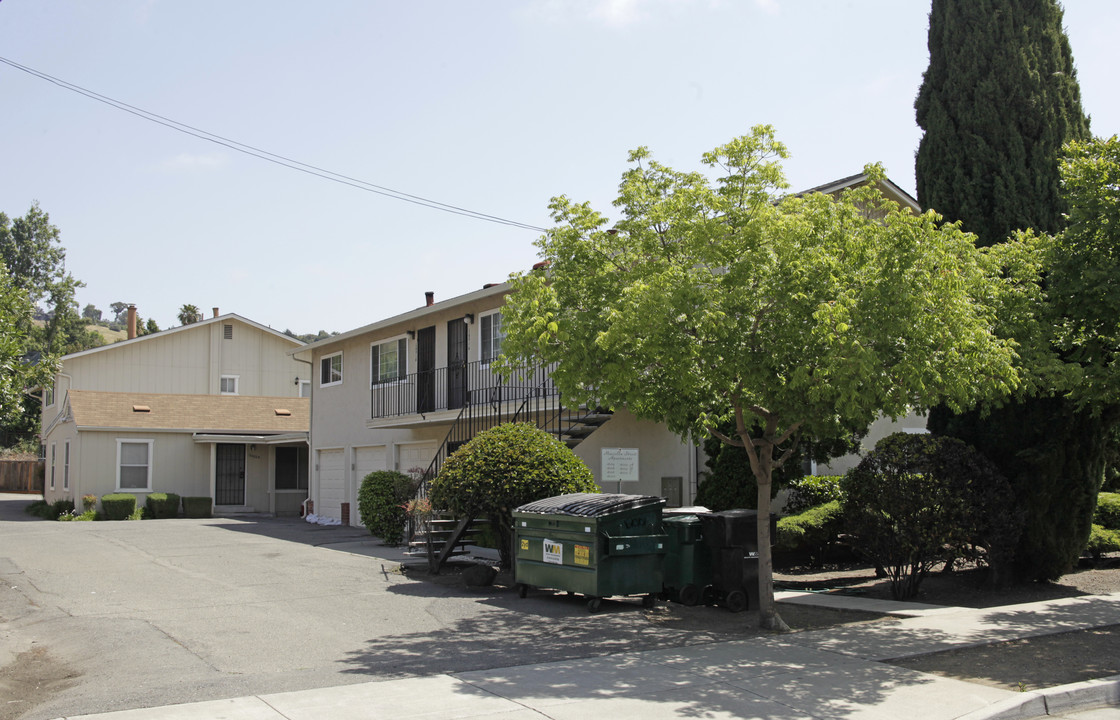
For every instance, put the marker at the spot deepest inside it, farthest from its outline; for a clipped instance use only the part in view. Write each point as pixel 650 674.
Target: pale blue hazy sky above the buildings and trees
pixel 484 106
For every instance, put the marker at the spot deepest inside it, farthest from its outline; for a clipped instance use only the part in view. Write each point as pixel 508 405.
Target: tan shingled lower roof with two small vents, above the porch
pixel 189 414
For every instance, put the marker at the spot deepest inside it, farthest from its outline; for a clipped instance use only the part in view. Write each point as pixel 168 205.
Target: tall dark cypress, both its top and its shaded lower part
pixel 998 101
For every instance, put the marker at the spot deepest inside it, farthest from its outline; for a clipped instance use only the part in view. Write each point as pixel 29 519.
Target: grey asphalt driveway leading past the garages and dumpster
pixel 114 615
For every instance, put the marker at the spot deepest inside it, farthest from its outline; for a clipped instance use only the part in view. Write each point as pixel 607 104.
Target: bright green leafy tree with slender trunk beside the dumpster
pixel 714 302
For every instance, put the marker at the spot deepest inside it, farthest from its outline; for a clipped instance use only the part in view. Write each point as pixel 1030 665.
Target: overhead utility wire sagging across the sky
pixel 272 157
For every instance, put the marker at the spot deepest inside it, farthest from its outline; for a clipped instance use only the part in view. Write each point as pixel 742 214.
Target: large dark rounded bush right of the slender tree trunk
pixel 920 500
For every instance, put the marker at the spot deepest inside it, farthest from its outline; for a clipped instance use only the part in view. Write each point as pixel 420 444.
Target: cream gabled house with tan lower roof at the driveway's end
pixel 214 409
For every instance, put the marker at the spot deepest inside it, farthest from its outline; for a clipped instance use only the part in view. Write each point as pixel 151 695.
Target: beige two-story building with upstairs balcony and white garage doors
pixel 403 392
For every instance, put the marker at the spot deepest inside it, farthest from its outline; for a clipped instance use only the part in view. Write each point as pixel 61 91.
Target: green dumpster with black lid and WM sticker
pixel 594 545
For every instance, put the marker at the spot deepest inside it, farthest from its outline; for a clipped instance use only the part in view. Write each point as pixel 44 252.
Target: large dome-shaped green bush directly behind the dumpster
pixel 506 467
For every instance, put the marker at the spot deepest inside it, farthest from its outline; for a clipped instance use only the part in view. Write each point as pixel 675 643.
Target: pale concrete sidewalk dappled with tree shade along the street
pixel 830 674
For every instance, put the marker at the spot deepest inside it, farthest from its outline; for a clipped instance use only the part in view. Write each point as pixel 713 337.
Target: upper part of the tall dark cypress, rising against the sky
pixel 997 104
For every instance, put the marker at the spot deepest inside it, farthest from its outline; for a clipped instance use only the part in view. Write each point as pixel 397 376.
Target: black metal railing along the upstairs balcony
pixel 470 385
